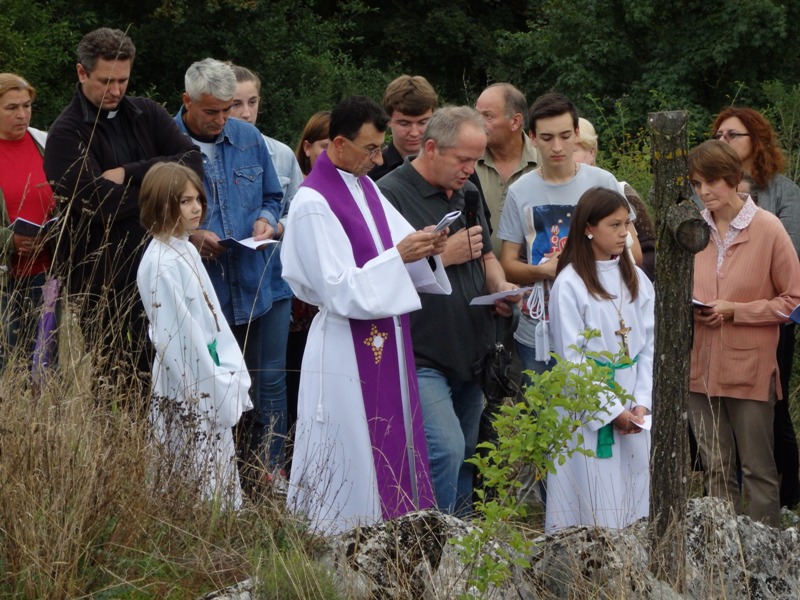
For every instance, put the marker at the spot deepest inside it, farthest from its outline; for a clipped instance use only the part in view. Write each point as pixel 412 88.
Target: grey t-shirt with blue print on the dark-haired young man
pixel 537 216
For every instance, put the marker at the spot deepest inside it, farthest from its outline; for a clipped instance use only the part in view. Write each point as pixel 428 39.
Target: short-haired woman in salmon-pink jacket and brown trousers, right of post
pixel 748 277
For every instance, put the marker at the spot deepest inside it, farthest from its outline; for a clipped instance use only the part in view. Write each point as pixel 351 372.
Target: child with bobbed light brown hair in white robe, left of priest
pixel 200 381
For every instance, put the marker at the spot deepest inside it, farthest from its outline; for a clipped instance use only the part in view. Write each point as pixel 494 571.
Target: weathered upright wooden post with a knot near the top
pixel 681 232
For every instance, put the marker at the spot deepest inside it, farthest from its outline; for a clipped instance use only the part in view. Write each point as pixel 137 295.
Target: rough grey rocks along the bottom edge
pixel 727 557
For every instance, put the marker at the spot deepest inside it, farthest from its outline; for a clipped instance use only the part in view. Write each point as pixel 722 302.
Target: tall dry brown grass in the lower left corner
pixel 84 509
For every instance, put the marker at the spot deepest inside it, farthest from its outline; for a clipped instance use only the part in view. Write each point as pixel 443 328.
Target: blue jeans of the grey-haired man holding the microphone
pixel 451 411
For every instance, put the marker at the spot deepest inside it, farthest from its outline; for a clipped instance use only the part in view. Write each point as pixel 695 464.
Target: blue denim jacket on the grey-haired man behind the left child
pixel 241 186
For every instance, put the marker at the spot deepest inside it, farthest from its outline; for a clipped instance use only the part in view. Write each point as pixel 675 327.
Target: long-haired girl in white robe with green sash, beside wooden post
pixel 599 287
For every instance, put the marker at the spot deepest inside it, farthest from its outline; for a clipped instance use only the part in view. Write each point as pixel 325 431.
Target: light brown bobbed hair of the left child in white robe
pixel 160 196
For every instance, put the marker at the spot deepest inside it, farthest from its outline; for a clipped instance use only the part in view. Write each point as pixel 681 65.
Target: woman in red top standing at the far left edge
pixel 24 194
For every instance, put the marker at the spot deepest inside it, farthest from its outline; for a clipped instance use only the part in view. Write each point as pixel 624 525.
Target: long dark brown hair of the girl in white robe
pixel 595 205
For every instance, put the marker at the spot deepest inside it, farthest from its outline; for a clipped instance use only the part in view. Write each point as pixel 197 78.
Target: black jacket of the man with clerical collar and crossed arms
pixel 101 239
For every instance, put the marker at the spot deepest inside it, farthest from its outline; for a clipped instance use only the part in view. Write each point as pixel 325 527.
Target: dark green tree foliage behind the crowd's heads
pixel 618 59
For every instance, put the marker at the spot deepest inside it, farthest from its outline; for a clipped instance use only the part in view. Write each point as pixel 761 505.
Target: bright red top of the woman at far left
pixel 27 194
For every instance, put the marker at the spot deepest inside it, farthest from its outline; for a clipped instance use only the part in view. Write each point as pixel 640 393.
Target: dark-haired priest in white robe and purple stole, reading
pixel 359 454
